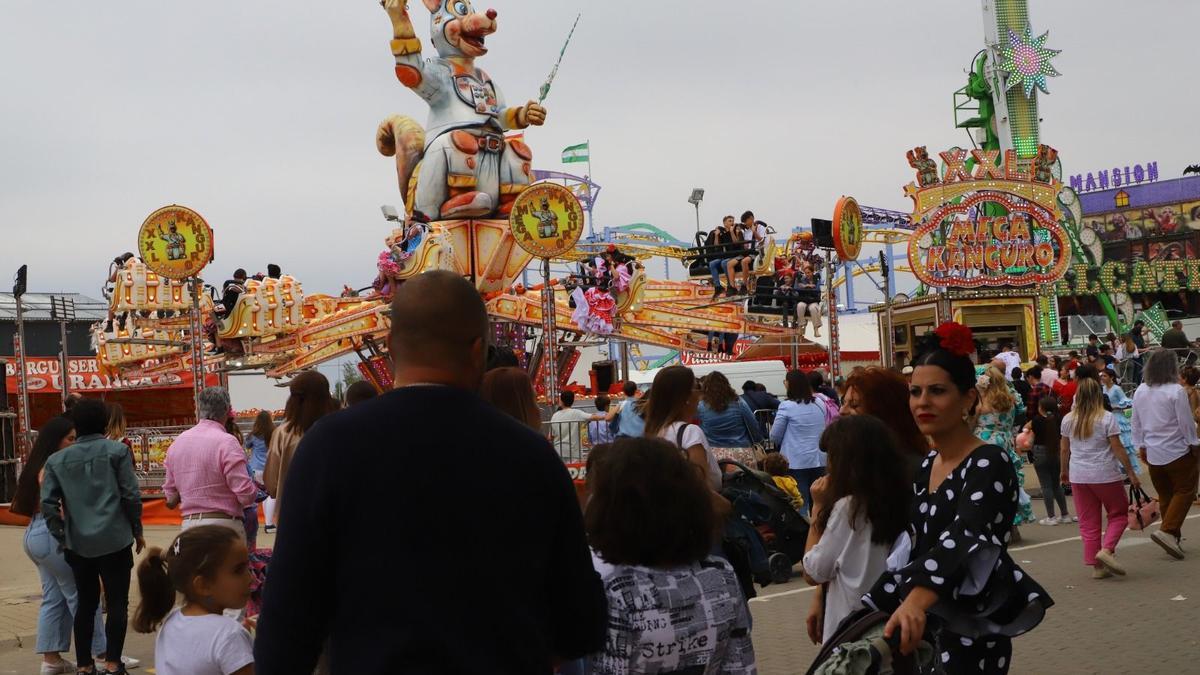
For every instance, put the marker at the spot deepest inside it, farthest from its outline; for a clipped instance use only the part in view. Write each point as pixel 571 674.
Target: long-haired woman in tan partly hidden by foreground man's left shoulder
pixel 309 401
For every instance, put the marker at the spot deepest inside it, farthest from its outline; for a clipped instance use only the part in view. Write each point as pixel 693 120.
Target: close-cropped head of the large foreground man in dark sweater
pixel 440 322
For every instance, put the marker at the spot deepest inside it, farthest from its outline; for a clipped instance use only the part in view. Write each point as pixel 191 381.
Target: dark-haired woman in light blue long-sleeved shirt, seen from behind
pixel 797 432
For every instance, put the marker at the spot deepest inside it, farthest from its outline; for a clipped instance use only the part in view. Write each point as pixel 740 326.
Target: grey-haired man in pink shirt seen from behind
pixel 207 474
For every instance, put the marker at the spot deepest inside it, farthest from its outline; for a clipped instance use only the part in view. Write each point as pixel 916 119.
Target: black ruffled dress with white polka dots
pixel 959 549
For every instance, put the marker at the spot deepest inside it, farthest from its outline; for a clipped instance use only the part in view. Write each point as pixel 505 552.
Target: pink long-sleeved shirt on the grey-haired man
pixel 207 471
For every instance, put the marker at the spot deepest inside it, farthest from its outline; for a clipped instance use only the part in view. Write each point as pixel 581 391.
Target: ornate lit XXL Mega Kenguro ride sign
pixel 987 225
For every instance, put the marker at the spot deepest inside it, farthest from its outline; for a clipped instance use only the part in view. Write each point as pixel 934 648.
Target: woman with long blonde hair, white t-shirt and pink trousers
pixel 1093 458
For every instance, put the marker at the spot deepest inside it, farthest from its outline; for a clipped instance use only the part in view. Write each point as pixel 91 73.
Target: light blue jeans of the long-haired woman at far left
pixel 59 595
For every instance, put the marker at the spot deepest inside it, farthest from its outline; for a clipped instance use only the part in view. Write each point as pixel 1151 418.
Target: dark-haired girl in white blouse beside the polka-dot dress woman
pixel 860 510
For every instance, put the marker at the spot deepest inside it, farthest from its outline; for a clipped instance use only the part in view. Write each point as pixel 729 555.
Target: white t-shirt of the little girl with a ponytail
pixel 202 646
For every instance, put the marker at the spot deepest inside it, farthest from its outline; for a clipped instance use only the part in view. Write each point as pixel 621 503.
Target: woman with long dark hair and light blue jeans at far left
pixel 56 618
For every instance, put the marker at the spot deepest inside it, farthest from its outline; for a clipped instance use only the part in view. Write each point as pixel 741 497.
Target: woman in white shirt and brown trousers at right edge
pixel 1166 437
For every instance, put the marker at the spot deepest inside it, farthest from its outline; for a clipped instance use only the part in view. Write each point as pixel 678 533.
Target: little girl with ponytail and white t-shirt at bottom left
pixel 211 568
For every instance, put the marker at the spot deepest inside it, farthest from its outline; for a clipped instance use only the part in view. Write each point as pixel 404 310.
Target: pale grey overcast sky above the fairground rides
pixel 262 115
